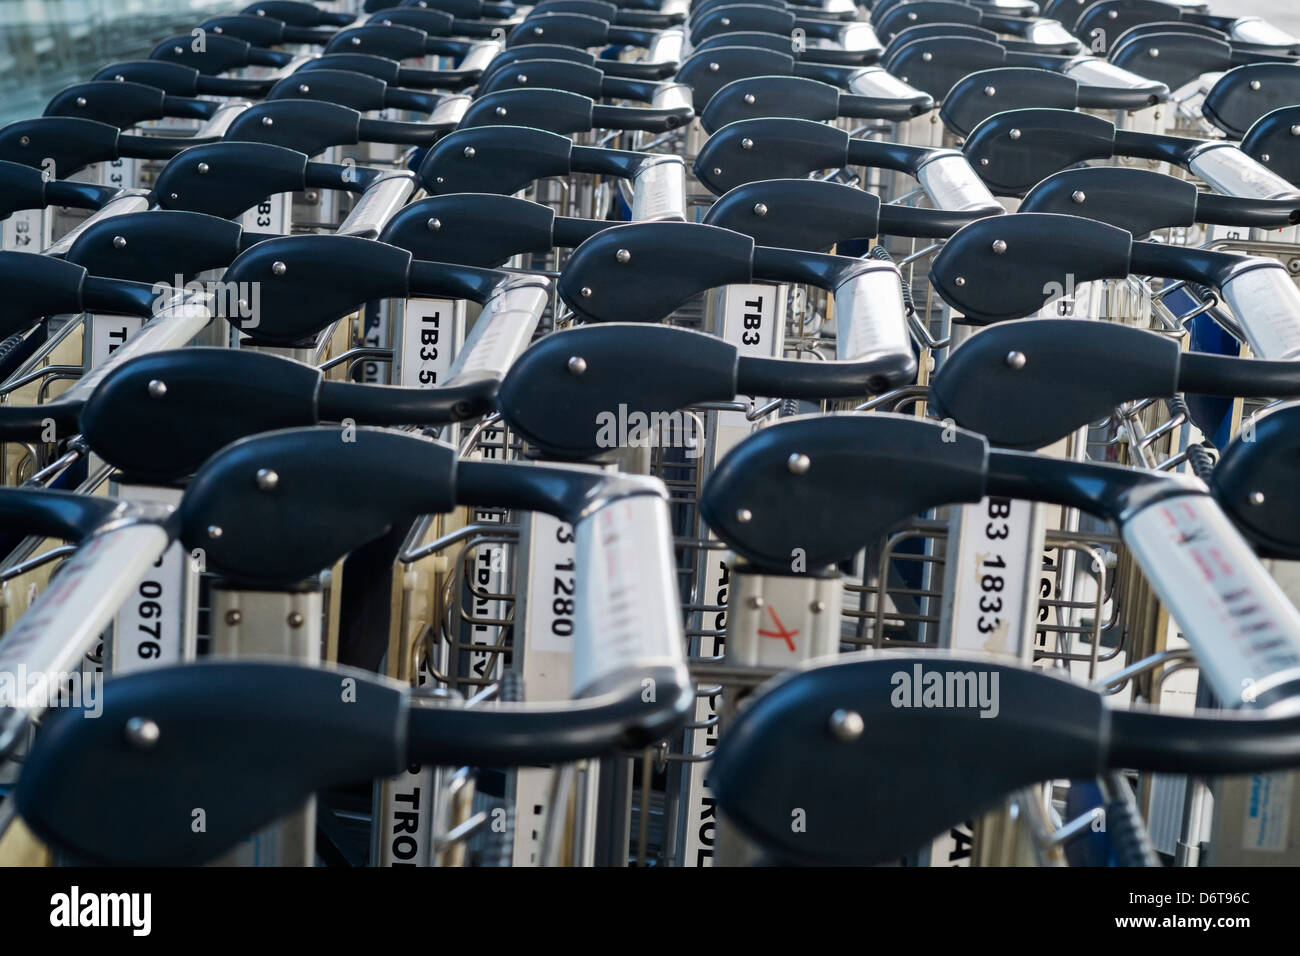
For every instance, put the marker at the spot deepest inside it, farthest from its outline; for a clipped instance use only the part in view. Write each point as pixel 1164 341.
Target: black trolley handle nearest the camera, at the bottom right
pixel 952 763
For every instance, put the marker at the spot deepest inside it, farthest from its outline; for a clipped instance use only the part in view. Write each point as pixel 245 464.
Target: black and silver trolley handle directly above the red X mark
pixel 1237 620
